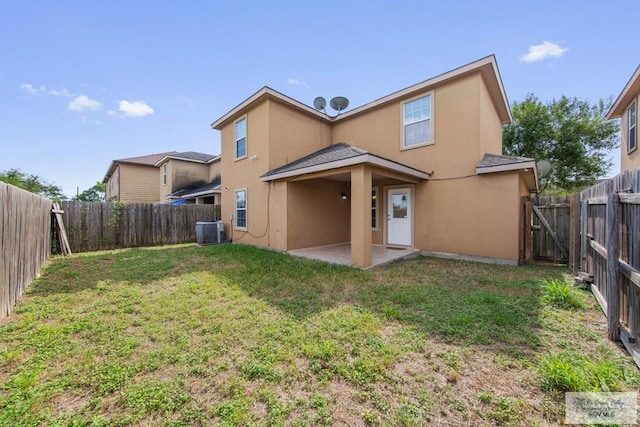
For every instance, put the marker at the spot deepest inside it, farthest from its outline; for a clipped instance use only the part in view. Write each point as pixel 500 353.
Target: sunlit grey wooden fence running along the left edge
pixel 25 220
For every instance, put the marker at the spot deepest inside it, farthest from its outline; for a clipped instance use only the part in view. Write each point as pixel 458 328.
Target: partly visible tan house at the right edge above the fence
pixel 626 109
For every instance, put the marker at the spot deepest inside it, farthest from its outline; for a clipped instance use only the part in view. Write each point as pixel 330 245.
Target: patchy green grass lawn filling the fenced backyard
pixel 230 334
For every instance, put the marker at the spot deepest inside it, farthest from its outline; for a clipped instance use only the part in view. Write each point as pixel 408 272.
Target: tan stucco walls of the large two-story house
pixel 455 212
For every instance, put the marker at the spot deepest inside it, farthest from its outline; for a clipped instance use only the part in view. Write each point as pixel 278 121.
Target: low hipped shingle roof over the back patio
pixel 338 156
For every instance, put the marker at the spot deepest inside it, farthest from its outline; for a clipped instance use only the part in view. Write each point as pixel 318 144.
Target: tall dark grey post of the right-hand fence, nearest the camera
pixel 613 270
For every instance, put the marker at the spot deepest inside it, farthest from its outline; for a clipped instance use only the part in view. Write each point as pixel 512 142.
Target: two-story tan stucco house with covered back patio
pixel 419 168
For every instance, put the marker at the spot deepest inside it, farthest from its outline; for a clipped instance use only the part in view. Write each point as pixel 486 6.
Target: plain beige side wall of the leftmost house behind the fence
pixel 139 184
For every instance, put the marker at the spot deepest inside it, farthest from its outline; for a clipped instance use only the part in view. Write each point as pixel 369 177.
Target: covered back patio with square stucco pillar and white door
pixel 337 206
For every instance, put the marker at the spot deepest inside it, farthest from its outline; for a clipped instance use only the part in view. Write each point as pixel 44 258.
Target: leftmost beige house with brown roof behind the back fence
pixel 134 179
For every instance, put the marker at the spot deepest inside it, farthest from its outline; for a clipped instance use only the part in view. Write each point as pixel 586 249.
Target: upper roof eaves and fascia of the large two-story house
pixel 486 66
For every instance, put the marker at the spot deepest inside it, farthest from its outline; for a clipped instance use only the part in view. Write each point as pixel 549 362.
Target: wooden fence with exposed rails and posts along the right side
pixel 609 218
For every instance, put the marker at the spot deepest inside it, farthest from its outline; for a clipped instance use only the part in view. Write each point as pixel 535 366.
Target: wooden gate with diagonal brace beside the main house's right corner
pixel 551 228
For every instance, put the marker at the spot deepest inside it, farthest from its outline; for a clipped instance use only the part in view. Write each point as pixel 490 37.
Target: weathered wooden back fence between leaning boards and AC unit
pixel 93 226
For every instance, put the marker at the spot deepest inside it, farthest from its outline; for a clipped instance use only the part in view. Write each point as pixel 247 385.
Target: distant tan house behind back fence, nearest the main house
pixel 189 177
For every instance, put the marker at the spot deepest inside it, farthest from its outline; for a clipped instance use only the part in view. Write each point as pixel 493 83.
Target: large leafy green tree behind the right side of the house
pixel 573 135
